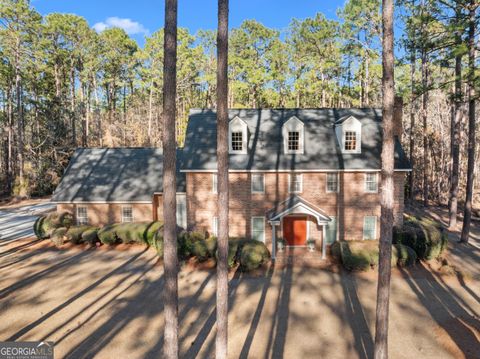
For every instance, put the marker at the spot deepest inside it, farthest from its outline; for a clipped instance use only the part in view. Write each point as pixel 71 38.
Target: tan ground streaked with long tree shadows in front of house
pixel 107 303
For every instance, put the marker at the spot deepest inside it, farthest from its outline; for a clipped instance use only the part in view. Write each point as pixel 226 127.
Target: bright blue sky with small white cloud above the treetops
pixel 141 17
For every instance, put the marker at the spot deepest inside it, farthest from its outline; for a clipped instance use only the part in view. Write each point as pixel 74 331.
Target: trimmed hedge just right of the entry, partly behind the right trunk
pixel 360 255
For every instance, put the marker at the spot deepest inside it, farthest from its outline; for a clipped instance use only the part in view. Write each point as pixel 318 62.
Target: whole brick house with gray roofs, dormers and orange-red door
pixel 297 174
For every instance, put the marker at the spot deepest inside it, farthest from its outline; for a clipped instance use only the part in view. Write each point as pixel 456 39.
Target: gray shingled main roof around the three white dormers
pixel 265 145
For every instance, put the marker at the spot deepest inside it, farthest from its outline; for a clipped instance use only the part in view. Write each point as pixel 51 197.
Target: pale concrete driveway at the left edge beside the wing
pixel 17 223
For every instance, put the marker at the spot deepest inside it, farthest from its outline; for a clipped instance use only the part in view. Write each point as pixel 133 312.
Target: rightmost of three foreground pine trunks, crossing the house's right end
pixel 386 199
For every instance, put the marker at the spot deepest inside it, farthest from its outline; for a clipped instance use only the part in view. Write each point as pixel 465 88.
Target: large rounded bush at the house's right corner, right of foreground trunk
pixel 427 237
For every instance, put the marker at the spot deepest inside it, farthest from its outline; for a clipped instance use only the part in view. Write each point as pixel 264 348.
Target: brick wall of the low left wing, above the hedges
pixel 100 214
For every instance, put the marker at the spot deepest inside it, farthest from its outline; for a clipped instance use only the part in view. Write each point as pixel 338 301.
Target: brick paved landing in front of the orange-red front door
pixel 301 256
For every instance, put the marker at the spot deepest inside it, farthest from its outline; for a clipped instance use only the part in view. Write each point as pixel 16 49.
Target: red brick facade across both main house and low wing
pixel 349 205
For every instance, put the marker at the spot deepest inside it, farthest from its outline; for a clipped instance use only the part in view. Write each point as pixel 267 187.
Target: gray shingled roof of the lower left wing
pixel 114 175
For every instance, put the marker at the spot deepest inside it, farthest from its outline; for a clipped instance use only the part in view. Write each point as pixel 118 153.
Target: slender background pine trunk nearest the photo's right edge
pixel 456 128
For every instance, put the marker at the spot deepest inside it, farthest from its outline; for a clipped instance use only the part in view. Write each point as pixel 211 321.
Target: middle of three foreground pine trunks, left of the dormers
pixel 223 193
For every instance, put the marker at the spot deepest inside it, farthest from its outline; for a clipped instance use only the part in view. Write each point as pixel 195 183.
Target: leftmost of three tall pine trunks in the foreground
pixel 169 181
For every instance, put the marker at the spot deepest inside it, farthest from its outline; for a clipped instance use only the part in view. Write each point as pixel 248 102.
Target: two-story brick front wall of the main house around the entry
pixel 349 205
